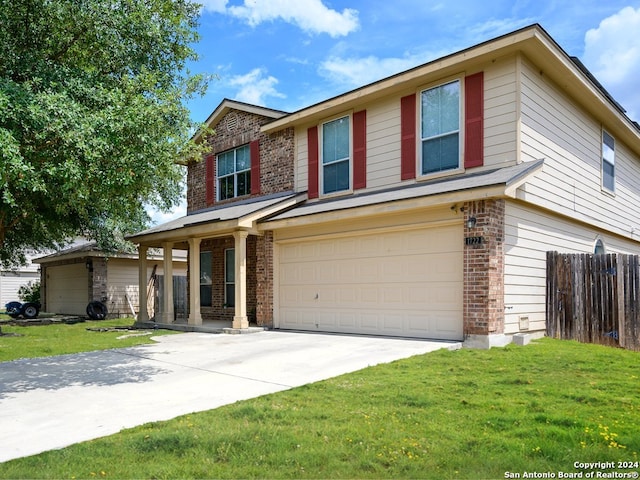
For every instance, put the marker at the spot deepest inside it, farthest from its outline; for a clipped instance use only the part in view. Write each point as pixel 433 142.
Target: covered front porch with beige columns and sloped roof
pixel 230 267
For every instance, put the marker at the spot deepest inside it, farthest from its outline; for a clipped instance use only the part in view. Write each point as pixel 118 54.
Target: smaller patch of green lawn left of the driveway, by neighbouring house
pixel 59 339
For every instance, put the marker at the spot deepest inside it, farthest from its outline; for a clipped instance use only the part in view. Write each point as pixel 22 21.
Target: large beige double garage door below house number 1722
pixel 406 283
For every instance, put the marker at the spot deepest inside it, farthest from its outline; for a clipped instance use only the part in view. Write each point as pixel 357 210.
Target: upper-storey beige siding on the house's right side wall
pixel 556 129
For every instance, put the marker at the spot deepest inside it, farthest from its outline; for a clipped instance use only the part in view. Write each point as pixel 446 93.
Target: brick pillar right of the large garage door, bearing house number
pixel 483 309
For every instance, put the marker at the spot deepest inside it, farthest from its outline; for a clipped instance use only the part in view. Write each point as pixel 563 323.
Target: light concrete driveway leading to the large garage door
pixel 50 403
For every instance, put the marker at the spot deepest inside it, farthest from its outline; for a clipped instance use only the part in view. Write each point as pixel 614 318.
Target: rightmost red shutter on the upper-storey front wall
pixel 474 120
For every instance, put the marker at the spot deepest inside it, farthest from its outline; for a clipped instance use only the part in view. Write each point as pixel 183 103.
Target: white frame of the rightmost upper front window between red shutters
pixel 420 139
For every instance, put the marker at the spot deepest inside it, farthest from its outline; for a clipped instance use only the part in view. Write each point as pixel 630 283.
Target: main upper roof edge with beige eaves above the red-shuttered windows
pixel 532 41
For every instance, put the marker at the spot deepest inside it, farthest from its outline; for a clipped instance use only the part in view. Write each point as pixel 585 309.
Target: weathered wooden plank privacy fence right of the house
pixel 594 298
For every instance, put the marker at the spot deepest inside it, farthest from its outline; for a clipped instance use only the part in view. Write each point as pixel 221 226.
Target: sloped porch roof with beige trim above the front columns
pixel 217 221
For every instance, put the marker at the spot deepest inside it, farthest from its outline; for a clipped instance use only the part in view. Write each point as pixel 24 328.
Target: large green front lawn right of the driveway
pixel 447 414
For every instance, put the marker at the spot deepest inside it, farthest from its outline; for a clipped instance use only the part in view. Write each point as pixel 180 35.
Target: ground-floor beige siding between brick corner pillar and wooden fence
pixel 529 234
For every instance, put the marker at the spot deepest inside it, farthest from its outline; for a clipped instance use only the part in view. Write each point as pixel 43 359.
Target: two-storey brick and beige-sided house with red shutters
pixel 421 205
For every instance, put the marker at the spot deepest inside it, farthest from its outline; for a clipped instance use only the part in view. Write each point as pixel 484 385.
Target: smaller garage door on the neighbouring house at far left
pixel 67 289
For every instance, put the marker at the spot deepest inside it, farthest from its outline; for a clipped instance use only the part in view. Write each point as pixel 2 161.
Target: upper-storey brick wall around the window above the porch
pixel 239 128
